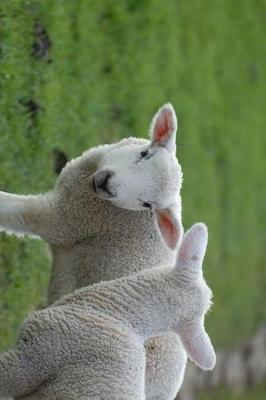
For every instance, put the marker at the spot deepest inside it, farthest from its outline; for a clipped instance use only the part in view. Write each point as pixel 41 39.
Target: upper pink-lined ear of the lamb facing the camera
pixel 163 128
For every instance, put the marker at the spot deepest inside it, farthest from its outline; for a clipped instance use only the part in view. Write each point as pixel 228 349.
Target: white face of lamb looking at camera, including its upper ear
pixel 143 175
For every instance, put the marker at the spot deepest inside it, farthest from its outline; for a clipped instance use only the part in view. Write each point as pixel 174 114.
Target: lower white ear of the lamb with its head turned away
pixel 198 345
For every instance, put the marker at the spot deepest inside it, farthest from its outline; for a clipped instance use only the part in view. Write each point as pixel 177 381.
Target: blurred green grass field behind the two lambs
pixel 111 64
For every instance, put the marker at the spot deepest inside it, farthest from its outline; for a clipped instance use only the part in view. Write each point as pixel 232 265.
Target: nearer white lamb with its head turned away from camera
pixel 89 344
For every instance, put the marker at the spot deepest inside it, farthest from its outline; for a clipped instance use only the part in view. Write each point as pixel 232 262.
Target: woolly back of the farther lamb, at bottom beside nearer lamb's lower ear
pixel 165 367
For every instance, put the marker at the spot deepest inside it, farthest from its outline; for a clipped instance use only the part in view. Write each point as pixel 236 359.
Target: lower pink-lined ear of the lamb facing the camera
pixel 168 226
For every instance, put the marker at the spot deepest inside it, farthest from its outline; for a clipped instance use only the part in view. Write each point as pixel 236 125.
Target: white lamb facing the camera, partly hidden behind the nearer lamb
pixel 98 227
